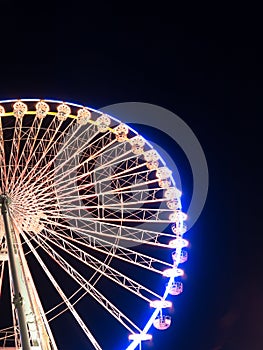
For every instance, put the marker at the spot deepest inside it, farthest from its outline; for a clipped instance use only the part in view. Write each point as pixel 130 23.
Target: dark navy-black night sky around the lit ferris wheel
pixel 205 65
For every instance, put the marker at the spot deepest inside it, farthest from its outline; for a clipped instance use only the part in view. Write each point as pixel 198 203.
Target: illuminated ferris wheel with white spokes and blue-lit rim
pixel 90 205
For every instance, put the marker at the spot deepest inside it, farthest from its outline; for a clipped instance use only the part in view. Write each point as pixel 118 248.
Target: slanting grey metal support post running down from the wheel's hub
pixel 17 297
